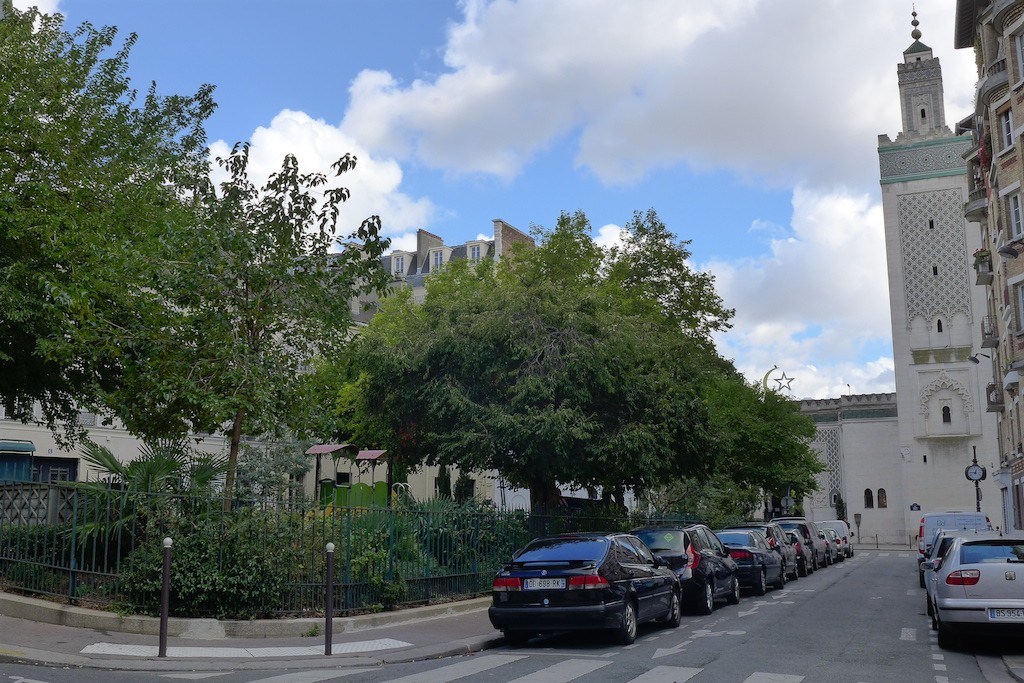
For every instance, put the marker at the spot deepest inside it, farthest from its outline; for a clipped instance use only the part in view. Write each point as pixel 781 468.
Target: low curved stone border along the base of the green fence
pixel 33 610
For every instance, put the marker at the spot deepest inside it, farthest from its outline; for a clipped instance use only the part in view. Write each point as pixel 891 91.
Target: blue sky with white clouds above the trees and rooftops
pixel 750 126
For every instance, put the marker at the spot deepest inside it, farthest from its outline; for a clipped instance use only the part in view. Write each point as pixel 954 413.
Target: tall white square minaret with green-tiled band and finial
pixel 936 308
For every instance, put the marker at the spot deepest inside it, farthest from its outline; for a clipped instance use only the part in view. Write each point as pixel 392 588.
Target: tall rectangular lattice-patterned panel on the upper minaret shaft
pixel 932 236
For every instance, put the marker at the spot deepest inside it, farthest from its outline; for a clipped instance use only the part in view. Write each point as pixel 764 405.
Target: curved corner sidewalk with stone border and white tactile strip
pixel 39 631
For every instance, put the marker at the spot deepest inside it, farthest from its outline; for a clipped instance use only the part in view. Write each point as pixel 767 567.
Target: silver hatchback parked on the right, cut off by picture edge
pixel 977 587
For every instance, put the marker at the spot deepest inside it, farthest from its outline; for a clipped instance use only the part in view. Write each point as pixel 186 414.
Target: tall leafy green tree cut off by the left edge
pixel 86 178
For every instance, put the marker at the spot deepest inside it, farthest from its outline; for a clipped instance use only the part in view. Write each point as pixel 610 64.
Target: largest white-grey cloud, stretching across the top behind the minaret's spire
pixel 812 86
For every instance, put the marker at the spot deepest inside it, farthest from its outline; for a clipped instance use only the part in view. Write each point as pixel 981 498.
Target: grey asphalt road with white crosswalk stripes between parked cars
pixel 859 622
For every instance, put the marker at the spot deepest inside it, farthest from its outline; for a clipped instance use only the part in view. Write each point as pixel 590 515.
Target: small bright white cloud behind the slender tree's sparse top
pixel 374 183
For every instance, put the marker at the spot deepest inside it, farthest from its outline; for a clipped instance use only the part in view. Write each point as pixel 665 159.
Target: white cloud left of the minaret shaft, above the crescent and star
pixel 820 294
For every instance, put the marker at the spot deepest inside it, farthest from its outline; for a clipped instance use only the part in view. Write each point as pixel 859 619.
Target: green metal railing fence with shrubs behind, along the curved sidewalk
pixel 103 546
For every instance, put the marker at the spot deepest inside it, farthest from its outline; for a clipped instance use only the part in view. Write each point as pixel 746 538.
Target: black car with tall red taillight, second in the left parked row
pixel 702 564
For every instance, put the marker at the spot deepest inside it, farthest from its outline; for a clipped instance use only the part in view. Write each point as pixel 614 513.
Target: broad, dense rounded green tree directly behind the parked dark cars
pixel 544 368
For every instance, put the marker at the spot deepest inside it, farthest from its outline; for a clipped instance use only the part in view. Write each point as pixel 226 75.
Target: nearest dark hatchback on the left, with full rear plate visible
pixel 583 581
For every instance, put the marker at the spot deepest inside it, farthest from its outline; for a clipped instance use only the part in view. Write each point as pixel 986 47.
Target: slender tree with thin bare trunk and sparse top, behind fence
pixel 249 293
